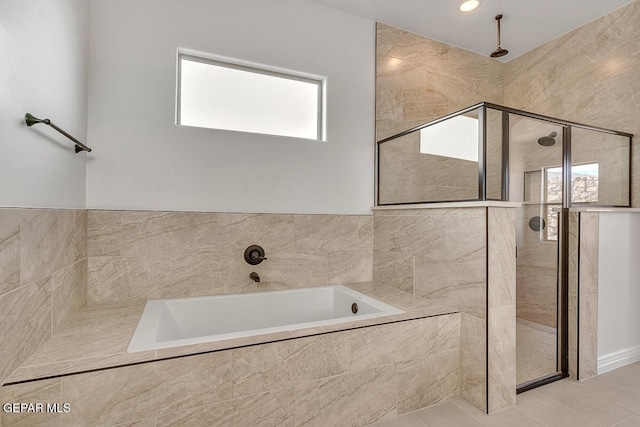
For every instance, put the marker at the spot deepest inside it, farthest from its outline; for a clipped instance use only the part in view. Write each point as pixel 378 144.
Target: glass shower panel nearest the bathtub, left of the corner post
pixel 436 163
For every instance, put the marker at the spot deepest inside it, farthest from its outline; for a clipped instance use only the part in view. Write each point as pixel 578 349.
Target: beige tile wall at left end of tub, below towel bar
pixel 43 270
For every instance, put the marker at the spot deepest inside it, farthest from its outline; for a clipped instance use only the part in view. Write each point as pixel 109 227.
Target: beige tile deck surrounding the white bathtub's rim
pixel 98 336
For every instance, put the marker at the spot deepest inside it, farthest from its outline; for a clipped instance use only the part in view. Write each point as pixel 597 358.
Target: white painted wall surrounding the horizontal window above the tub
pixel 142 160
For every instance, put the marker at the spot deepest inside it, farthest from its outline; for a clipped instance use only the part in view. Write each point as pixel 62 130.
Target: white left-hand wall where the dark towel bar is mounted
pixel 43 70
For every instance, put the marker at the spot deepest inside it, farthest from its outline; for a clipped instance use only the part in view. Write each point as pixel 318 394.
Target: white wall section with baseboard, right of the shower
pixel 618 290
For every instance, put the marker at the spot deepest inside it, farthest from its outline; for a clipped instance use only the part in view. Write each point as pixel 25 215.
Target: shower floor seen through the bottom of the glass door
pixel 535 351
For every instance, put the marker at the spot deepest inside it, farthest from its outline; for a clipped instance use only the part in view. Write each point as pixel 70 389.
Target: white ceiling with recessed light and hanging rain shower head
pixel 525 24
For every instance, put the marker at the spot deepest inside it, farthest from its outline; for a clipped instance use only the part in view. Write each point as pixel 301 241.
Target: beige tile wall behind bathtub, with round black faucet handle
pixel 145 255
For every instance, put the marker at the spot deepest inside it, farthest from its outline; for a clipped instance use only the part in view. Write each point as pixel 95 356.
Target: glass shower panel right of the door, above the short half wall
pixel 600 168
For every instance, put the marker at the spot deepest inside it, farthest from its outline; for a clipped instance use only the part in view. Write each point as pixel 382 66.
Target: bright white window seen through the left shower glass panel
pixel 456 138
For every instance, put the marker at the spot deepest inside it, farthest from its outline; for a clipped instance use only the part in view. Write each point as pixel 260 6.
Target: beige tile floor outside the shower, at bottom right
pixel 611 399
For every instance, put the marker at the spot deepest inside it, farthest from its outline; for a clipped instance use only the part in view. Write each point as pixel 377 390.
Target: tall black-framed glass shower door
pixel 535 178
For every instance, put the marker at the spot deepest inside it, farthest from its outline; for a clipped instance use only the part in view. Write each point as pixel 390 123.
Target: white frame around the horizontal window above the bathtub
pixel 230 63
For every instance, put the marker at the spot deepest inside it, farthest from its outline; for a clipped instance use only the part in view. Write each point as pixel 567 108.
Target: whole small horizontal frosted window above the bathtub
pixel 222 95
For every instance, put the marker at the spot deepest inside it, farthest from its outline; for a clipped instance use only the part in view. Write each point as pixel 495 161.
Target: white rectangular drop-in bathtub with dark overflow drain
pixel 177 322
